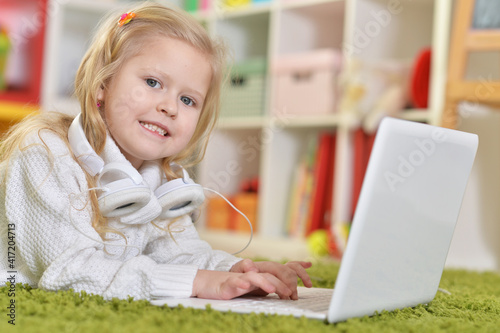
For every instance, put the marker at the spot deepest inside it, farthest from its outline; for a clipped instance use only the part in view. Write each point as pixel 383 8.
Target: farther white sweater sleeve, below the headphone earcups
pixel 183 245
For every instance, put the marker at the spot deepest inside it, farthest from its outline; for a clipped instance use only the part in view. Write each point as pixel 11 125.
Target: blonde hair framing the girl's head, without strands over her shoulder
pixel 114 45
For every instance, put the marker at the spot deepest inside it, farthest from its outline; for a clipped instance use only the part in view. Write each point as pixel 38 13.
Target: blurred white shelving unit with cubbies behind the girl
pixel 269 146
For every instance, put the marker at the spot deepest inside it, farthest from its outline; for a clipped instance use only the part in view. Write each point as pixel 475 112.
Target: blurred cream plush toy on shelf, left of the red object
pixel 372 91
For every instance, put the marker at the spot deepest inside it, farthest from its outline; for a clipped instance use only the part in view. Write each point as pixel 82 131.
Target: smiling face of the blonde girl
pixel 153 103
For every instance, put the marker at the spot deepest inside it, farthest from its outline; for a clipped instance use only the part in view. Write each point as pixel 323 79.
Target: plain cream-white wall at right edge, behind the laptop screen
pixel 476 242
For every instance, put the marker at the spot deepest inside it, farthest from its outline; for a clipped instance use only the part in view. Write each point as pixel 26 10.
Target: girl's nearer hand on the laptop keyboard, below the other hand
pixel 227 285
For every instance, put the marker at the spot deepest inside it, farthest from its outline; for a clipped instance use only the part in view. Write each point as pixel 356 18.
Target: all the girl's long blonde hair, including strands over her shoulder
pixel 112 46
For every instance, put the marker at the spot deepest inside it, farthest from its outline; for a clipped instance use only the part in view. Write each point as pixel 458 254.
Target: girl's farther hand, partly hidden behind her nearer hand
pixel 286 273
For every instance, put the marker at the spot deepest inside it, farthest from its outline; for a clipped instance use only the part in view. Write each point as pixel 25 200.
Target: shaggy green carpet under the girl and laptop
pixel 473 306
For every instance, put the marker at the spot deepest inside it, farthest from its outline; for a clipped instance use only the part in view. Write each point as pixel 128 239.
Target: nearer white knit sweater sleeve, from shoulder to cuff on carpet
pixel 45 196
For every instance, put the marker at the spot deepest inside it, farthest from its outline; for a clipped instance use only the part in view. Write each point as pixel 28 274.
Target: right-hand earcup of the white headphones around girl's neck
pixel 178 198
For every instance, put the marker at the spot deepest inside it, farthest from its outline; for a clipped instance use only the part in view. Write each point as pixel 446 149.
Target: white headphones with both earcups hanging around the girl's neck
pixel 124 190
